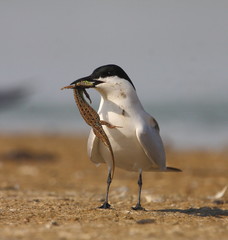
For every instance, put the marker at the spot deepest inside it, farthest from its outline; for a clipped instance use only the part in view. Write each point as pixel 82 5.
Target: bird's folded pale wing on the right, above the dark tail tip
pixel 148 137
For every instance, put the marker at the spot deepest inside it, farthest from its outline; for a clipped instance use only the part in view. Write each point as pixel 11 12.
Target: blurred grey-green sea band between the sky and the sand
pixel 182 124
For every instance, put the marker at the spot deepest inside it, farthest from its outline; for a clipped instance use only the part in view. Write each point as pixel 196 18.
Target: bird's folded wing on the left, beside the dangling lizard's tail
pixel 93 149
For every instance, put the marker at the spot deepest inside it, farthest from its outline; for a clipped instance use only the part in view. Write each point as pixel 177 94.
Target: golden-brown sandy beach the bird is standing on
pixel 50 190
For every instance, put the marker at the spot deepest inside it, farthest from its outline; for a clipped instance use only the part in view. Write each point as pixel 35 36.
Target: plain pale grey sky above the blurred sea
pixel 173 47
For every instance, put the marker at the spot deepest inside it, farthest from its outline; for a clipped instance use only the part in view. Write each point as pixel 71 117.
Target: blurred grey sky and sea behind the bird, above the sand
pixel 175 52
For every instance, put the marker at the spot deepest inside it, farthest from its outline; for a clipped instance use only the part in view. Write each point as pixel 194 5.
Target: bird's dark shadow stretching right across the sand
pixel 200 212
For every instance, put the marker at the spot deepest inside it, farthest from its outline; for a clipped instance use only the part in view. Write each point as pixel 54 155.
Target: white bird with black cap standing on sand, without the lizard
pixel 136 144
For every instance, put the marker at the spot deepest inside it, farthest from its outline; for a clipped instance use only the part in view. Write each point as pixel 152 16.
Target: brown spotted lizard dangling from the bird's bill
pixel 91 117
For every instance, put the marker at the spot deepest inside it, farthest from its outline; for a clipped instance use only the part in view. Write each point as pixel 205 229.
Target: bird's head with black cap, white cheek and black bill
pixel 108 80
